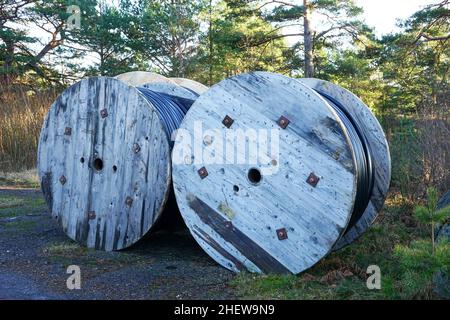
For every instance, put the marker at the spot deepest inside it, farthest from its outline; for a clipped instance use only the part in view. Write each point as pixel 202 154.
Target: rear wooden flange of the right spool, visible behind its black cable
pixel 379 148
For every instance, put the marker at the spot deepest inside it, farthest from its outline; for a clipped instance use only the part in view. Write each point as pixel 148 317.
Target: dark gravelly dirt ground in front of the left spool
pixel 35 254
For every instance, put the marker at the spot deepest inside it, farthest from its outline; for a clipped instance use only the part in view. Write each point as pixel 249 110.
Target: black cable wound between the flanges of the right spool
pixel 363 159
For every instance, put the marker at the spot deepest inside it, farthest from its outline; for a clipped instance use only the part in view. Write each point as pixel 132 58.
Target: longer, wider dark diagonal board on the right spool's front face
pixel 257 255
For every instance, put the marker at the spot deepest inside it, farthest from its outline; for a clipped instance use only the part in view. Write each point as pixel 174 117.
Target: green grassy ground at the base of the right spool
pixel 342 275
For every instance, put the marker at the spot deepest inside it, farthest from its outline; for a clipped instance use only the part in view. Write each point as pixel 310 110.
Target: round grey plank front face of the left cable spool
pixel 113 207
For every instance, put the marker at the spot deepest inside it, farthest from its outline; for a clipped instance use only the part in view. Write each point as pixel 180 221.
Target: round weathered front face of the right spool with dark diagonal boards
pixel 288 209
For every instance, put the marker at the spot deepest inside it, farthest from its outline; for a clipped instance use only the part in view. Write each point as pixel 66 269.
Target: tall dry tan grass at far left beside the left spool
pixel 22 113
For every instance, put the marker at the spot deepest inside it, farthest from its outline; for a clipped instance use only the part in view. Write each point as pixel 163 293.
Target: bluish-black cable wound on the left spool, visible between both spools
pixel 171 109
